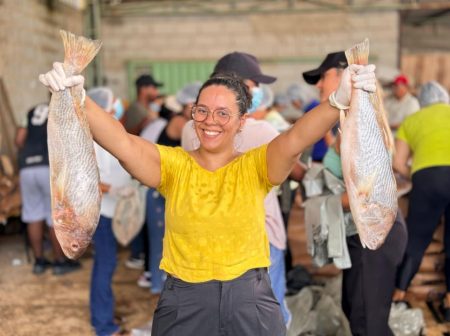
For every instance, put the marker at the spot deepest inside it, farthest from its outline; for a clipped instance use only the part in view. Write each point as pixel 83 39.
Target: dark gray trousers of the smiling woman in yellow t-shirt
pixel 245 306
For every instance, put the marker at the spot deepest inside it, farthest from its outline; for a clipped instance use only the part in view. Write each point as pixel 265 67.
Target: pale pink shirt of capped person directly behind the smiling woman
pixel 255 133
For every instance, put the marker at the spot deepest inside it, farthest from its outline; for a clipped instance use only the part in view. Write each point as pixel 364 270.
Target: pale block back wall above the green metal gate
pixel 287 44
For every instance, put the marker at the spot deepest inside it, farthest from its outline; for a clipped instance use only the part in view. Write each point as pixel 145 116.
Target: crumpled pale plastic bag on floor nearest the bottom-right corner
pixel 406 321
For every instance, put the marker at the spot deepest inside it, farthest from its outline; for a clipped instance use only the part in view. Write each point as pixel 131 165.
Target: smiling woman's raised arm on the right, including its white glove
pixel 284 150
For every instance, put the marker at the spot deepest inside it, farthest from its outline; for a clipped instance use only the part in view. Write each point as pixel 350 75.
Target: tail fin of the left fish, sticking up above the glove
pixel 78 51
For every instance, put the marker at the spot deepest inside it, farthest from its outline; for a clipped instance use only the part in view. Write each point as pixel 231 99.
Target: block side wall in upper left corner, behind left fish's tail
pixel 29 43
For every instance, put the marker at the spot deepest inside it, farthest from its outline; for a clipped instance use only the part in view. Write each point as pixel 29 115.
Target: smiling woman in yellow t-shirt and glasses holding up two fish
pixel 216 251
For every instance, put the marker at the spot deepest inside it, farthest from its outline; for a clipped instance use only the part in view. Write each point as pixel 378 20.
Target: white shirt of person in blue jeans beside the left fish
pixel 112 173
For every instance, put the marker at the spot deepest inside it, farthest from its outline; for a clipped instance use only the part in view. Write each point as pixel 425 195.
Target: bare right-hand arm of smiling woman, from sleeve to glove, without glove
pixel 284 151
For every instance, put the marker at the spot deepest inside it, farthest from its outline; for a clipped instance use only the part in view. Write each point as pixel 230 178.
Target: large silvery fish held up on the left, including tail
pixel 74 175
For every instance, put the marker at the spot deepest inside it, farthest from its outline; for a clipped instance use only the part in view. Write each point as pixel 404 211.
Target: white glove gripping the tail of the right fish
pixel 362 77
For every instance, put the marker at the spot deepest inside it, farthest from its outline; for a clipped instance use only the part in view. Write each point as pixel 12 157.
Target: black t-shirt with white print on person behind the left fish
pixel 35 149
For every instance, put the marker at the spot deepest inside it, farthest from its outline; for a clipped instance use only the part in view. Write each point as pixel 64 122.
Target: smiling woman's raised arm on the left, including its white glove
pixel 139 157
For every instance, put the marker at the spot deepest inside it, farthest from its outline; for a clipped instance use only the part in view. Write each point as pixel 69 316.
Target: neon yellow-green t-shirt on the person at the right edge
pixel 427 132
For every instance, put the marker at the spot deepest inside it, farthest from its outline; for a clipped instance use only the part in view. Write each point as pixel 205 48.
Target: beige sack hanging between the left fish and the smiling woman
pixel 129 215
